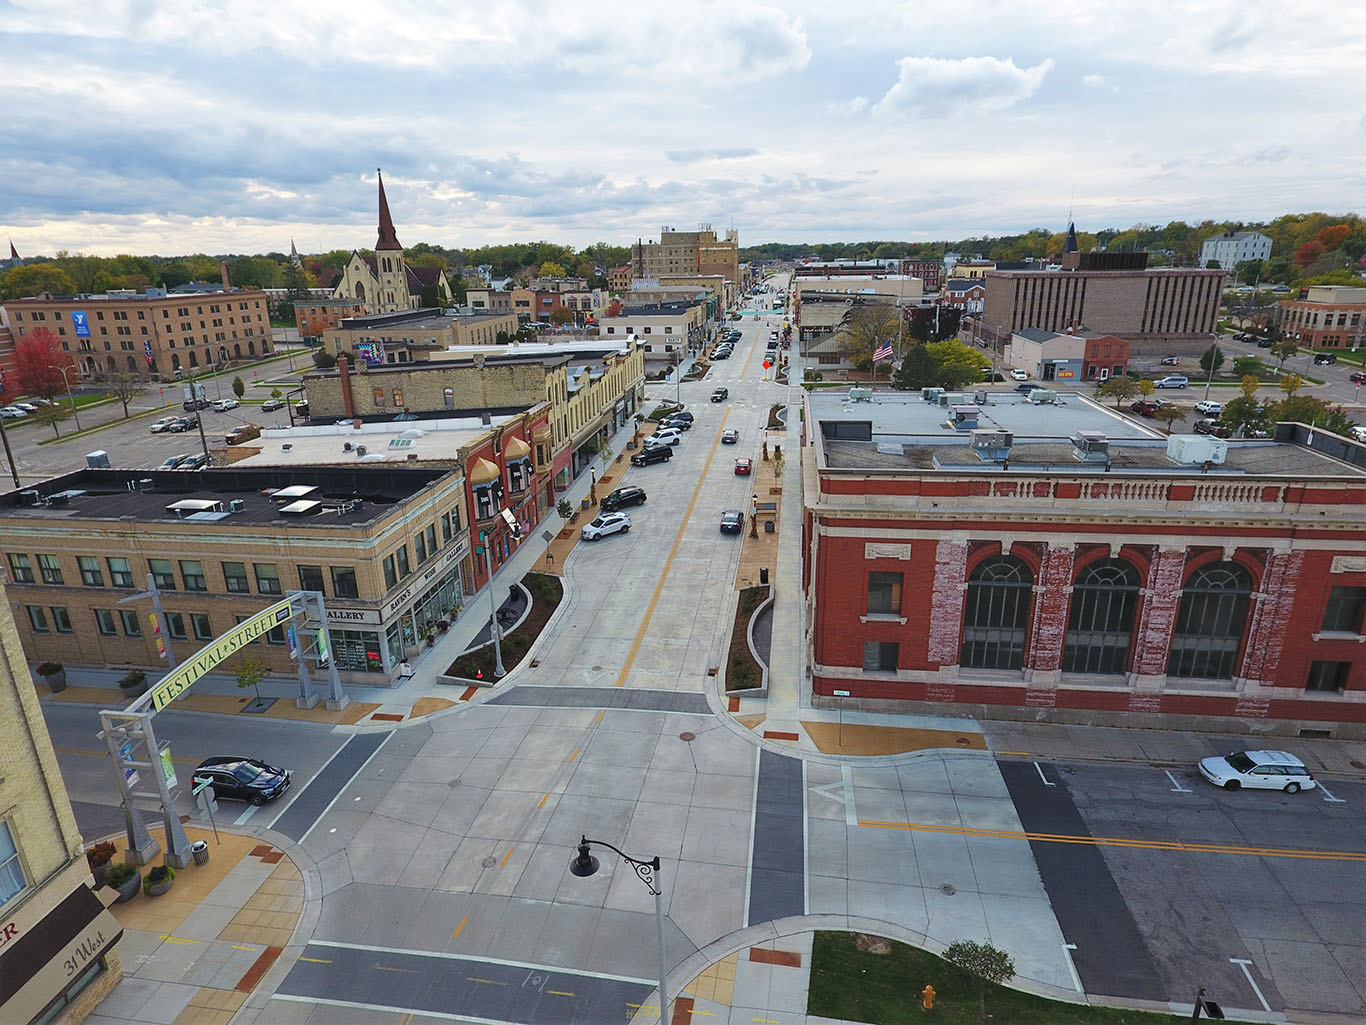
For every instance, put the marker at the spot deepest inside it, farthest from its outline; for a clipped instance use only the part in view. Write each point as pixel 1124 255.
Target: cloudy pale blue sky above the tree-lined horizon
pixel 137 126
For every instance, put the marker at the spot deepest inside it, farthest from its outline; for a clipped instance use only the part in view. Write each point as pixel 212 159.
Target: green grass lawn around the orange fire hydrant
pixel 884 989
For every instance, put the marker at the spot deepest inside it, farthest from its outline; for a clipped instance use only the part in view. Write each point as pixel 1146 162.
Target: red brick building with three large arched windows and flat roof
pixel 1066 564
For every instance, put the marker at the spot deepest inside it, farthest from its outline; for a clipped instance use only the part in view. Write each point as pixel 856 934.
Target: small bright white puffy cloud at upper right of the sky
pixel 935 87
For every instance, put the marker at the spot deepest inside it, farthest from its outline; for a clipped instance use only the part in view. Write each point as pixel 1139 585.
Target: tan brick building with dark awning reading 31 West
pixel 58 944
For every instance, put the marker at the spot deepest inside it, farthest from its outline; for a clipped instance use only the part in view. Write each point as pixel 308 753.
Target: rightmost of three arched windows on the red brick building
pixel 1211 621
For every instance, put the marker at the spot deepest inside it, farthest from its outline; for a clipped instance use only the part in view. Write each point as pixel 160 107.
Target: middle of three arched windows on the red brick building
pixel 1100 625
